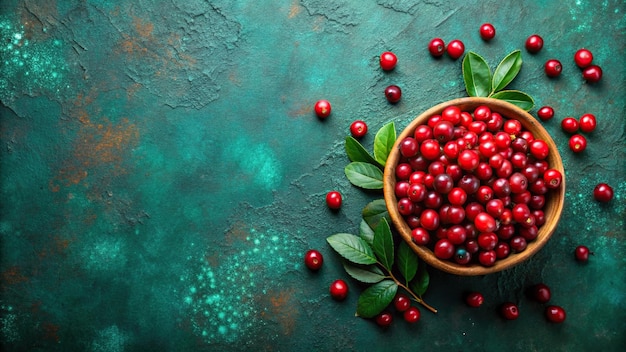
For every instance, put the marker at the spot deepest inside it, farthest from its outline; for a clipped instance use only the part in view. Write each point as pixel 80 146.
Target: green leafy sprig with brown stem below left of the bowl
pixel 371 258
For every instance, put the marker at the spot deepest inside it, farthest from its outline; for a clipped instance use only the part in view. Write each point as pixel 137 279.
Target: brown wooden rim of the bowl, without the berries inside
pixel 554 198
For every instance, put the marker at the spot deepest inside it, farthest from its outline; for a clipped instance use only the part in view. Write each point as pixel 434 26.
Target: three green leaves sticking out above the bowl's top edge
pixel 480 82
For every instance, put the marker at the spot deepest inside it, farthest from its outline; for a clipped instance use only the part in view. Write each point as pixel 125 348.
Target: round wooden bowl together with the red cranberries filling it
pixel 474 185
